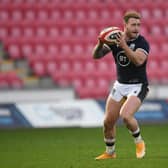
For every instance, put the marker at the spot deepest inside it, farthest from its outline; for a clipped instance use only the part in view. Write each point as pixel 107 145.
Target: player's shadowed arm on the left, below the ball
pixel 100 50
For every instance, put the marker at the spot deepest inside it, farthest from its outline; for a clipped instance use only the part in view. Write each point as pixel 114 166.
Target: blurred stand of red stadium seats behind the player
pixel 54 39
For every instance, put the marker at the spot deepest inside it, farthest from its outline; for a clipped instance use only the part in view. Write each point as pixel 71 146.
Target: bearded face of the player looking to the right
pixel 132 28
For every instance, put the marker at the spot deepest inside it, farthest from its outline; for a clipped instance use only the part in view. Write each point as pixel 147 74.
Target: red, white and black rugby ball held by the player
pixel 108 35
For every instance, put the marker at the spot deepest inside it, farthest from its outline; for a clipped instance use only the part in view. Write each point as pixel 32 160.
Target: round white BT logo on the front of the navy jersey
pixel 122 59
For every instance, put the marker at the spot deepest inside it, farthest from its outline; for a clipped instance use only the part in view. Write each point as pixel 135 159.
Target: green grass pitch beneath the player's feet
pixel 77 148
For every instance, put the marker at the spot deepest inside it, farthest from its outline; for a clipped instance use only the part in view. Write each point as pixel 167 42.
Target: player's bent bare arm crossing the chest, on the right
pixel 138 57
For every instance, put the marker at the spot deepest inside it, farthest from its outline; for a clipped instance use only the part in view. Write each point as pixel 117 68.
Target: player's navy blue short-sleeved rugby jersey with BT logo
pixel 128 72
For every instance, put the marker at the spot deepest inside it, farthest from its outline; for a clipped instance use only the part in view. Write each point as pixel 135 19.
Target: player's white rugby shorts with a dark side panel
pixel 121 90
